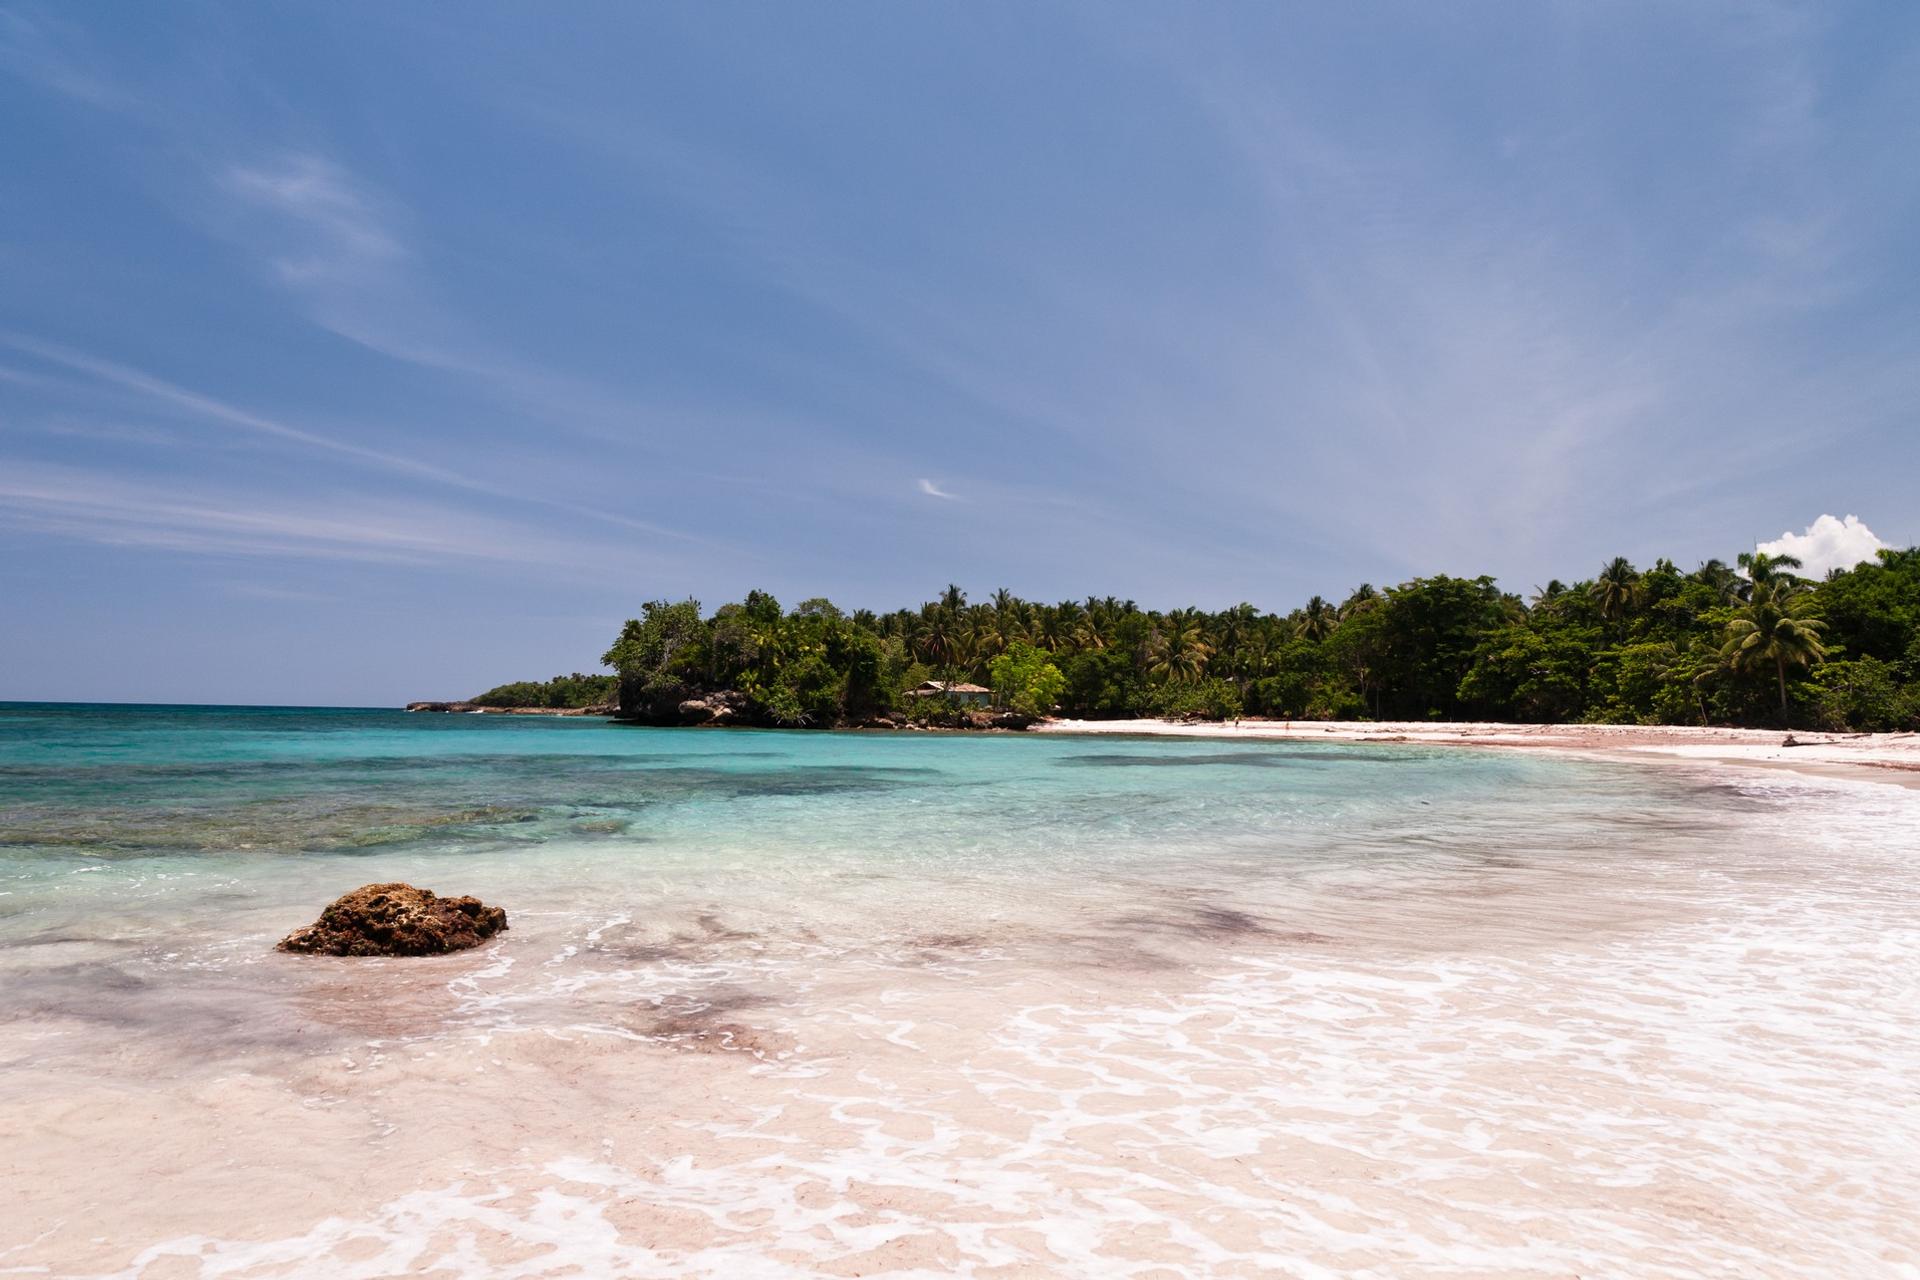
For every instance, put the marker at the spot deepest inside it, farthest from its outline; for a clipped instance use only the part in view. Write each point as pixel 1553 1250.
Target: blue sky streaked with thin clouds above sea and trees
pixel 366 352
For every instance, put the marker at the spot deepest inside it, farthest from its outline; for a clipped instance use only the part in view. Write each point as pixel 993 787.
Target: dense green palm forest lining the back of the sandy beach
pixel 1739 646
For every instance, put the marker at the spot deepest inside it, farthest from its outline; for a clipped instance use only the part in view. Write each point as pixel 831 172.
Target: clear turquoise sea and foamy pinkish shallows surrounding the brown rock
pixel 784 1005
